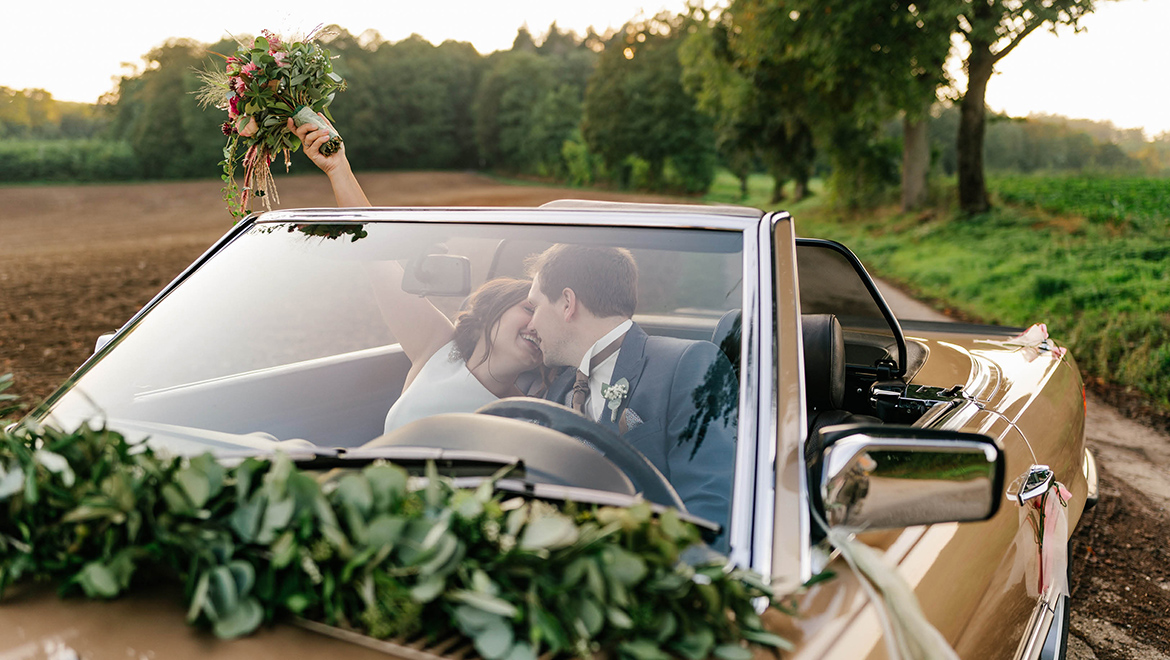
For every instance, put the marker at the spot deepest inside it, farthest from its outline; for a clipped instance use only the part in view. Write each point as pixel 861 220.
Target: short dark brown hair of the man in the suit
pixel 604 279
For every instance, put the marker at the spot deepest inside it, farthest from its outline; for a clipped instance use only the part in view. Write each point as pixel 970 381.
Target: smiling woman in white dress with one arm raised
pixel 455 367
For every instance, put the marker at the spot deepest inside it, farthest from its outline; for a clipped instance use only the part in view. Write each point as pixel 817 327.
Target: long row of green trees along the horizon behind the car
pixel 793 87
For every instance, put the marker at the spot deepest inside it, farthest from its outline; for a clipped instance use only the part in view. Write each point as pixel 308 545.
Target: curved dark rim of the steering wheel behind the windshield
pixel 642 472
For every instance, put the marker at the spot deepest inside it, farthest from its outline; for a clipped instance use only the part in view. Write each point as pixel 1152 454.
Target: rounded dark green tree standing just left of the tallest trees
pixel 636 107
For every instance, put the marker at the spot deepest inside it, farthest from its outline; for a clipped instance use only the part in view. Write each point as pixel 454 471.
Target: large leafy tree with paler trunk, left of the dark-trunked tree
pixel 846 68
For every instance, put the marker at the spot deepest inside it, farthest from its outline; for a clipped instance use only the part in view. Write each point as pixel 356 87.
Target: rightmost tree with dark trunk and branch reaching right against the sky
pixel 993 30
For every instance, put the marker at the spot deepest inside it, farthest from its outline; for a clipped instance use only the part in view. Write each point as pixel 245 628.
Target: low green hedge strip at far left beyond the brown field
pixel 67 161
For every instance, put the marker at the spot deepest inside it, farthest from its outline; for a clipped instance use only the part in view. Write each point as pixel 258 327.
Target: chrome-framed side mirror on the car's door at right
pixel 893 477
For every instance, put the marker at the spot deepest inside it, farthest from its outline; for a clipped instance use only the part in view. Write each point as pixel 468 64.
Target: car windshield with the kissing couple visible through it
pixel 307 334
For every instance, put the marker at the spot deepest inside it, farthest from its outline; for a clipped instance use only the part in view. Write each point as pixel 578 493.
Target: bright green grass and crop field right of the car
pixel 1098 283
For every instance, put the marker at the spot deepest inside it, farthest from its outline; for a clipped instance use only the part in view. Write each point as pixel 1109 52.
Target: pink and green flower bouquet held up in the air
pixel 261 87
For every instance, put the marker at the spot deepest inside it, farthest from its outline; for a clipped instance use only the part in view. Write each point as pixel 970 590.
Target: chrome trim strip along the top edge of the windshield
pixel 710 219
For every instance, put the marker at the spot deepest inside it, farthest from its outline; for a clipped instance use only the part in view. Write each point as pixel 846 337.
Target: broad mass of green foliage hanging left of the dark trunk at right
pixel 831 71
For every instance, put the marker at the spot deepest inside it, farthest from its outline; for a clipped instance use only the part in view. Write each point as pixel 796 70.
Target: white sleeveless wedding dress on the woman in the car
pixel 444 386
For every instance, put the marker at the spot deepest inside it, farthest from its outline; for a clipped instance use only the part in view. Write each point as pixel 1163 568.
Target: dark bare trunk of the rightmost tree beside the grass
pixel 973 190
